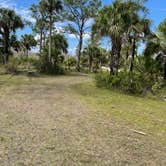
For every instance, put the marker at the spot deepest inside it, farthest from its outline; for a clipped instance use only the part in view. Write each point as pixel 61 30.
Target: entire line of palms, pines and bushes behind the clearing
pixel 124 23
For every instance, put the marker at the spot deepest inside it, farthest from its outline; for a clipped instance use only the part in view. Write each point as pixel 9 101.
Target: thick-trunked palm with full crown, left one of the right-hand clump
pixel 110 23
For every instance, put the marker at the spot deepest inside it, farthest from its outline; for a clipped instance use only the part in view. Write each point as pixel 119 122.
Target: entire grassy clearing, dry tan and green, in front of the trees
pixel 66 120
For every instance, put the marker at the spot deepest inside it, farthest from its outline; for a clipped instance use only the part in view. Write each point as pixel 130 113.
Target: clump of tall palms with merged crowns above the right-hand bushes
pixel 122 21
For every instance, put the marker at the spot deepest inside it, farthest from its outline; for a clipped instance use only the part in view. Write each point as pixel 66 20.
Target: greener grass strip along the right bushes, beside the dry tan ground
pixel 147 115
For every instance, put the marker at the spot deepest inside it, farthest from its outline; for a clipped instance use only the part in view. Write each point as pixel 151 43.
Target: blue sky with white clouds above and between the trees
pixel 157 13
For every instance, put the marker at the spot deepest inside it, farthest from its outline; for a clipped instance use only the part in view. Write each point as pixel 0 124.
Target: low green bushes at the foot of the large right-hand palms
pixel 133 83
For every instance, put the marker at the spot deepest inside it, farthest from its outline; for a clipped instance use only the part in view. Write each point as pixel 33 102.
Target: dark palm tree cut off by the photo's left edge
pixel 9 22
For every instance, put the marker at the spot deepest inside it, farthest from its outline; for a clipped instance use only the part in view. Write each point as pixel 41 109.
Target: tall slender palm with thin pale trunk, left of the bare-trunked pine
pixel 52 7
